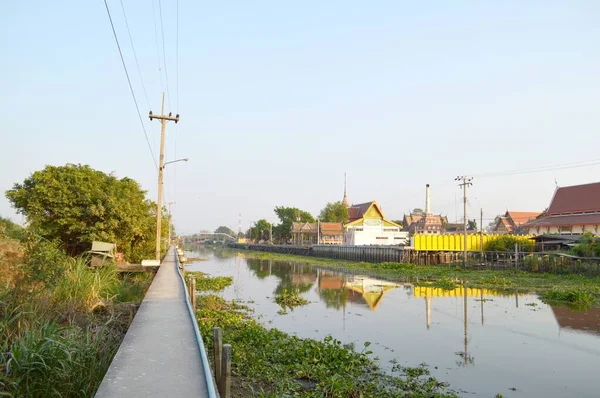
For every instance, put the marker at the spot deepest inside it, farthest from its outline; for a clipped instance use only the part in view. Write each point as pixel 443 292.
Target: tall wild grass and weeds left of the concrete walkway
pixel 60 321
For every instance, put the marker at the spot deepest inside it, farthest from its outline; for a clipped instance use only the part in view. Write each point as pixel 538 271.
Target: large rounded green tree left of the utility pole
pixel 76 205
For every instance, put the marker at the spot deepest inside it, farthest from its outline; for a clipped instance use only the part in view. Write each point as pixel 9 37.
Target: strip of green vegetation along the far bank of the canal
pixel 446 275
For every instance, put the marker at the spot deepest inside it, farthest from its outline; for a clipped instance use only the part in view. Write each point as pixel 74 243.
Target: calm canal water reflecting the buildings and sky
pixel 481 342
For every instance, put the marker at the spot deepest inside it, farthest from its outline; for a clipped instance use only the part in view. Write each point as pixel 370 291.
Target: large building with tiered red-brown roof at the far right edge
pixel 573 210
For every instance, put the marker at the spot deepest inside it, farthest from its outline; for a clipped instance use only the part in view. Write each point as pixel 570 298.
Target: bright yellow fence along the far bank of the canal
pixel 454 242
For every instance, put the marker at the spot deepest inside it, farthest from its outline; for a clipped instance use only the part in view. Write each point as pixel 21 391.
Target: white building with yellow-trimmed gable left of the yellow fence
pixel 368 226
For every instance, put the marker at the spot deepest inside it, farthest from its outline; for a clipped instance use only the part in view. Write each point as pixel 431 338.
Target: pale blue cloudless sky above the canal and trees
pixel 279 99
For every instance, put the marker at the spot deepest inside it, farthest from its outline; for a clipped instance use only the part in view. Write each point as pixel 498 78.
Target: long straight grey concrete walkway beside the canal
pixel 159 356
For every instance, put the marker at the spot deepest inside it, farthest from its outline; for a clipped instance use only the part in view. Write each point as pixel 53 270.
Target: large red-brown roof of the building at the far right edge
pixel 576 199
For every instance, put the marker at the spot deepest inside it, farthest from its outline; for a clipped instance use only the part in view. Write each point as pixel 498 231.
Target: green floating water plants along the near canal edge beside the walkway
pixel 271 363
